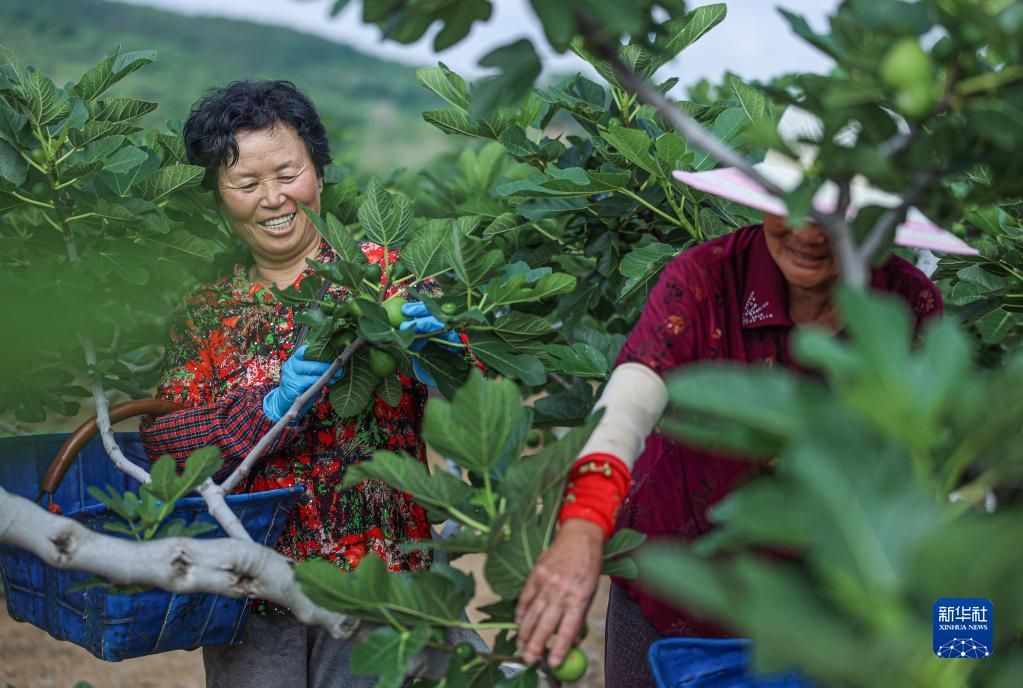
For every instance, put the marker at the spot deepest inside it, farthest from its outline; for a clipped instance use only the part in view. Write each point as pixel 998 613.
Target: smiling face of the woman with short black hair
pixel 261 194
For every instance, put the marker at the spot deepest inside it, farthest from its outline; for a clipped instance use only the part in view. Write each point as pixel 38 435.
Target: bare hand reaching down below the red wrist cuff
pixel 559 591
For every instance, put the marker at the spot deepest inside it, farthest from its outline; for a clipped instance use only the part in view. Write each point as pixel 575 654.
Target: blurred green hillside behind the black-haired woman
pixel 371 107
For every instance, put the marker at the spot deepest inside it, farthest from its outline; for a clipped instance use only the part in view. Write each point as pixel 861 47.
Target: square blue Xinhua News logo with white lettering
pixel 964 628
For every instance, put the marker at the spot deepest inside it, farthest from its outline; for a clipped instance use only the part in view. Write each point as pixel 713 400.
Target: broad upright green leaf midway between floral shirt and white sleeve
pixel 483 428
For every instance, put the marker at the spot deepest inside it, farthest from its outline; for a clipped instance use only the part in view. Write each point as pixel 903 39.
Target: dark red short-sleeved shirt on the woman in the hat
pixel 724 300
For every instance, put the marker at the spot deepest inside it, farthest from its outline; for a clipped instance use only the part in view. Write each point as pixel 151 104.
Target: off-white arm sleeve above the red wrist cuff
pixel 633 403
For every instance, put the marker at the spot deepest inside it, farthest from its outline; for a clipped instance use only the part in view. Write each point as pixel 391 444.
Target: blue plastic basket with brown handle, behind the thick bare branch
pixel 119 627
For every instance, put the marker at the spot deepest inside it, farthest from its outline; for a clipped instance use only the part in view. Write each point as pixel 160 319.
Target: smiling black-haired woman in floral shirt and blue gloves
pixel 234 362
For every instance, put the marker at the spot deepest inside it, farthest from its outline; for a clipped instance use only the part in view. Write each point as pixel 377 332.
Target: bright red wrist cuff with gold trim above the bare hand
pixel 596 489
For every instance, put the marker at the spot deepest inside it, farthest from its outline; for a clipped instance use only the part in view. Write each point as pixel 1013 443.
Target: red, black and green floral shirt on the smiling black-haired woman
pixel 227 346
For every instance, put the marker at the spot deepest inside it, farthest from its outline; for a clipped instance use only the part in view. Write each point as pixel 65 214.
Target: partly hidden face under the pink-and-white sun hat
pixel 805 257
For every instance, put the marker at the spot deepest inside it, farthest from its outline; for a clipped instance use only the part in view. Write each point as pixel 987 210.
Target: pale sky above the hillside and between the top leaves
pixel 753 41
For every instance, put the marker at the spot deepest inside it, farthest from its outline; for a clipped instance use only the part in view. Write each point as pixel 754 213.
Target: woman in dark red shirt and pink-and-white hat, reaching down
pixel 737 298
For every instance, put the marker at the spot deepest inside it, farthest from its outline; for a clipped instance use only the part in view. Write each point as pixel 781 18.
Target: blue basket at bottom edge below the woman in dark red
pixel 713 663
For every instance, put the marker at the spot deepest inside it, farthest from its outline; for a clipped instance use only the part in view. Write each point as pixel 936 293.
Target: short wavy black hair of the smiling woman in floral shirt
pixel 250 106
